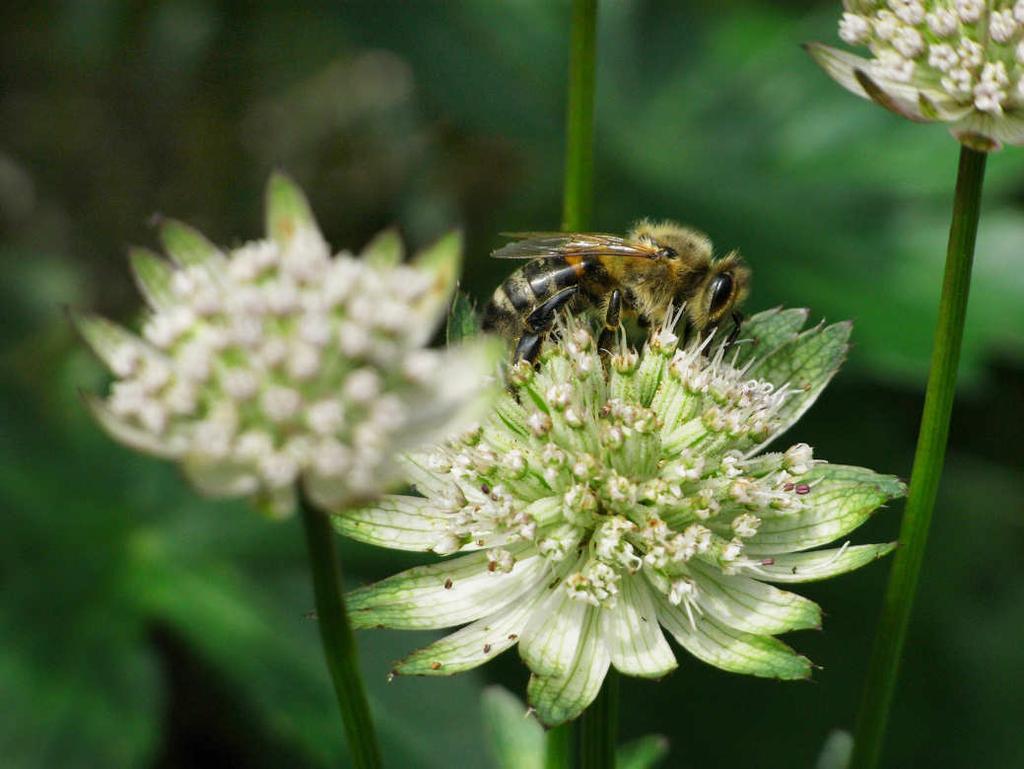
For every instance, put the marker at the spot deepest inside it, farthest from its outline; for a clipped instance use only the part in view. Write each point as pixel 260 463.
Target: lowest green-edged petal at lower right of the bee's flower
pixel 732 650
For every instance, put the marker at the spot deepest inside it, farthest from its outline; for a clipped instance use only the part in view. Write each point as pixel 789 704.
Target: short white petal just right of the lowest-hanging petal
pixel 632 633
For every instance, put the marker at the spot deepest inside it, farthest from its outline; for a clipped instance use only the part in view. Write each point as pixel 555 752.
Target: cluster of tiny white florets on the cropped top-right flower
pixel 972 50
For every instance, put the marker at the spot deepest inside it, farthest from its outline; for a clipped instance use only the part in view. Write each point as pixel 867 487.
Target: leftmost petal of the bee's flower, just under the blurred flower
pixel 395 522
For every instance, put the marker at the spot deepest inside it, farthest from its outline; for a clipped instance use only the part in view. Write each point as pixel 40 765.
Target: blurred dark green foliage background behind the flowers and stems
pixel 144 627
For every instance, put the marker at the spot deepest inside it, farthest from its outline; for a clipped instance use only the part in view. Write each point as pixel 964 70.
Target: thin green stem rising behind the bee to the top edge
pixel 579 193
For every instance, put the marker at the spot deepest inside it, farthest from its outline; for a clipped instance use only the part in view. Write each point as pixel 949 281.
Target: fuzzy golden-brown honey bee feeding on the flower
pixel 656 267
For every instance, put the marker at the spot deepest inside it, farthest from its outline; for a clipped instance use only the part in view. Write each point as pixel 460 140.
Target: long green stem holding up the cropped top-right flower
pixel 927 465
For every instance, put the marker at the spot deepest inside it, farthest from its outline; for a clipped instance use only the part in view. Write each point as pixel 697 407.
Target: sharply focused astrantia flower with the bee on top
pixel 599 505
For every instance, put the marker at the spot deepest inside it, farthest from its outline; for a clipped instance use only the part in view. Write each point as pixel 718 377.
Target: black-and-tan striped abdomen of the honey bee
pixel 529 287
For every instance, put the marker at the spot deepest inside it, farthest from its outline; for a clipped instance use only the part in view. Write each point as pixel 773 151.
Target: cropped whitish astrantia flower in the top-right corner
pixel 957 62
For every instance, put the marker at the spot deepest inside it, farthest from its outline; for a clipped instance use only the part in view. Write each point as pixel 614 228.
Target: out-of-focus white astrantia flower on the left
pixel 276 362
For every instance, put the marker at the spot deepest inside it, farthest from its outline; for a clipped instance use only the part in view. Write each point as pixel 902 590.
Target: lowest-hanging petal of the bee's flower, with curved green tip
pixel 563 698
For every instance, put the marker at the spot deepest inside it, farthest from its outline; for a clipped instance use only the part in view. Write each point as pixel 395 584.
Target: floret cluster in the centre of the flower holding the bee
pixel 644 468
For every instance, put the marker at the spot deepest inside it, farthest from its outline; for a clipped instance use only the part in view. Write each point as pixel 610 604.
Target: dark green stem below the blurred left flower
pixel 336 635
